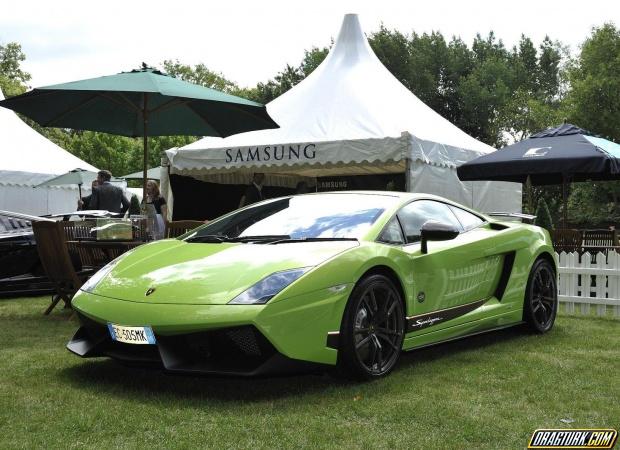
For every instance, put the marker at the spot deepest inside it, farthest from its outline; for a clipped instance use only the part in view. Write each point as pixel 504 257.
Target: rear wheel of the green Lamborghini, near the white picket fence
pixel 540 305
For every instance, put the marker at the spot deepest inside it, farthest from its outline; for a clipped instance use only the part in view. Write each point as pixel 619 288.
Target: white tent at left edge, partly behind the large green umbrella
pixel 26 159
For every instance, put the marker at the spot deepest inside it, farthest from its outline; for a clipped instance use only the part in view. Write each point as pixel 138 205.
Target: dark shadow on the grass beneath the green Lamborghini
pixel 113 378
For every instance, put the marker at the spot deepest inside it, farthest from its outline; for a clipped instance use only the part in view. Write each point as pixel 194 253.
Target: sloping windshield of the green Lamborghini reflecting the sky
pixel 316 216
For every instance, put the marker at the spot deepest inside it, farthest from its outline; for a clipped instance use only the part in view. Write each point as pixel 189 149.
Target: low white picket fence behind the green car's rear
pixel 592 280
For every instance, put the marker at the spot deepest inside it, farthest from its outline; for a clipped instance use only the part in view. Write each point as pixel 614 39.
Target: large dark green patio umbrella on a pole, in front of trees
pixel 143 102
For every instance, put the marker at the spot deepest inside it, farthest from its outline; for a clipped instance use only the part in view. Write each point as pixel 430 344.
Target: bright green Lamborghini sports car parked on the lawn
pixel 347 280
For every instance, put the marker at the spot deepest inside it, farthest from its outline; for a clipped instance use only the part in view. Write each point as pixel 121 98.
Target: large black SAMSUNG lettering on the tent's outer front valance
pixel 296 152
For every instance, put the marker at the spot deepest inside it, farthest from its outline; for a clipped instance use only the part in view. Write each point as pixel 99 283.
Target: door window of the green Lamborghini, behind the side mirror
pixel 415 214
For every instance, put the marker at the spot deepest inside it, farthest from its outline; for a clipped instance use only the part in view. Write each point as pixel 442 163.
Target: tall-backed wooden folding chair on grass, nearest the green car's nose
pixel 56 261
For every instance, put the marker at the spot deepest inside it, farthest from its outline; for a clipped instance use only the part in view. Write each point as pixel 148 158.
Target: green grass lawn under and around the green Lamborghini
pixel 489 391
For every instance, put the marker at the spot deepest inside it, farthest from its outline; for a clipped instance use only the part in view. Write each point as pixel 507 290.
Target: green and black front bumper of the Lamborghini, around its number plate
pixel 280 337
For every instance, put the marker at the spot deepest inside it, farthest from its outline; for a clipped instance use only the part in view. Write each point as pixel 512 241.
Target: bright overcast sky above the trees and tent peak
pixel 250 41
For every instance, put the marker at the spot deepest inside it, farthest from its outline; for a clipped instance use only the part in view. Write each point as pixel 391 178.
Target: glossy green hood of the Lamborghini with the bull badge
pixel 202 273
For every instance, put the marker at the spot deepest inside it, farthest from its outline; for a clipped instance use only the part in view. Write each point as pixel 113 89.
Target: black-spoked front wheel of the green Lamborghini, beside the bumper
pixel 372 329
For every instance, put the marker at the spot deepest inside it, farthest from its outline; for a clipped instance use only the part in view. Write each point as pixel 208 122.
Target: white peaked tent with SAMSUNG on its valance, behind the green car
pixel 351 116
